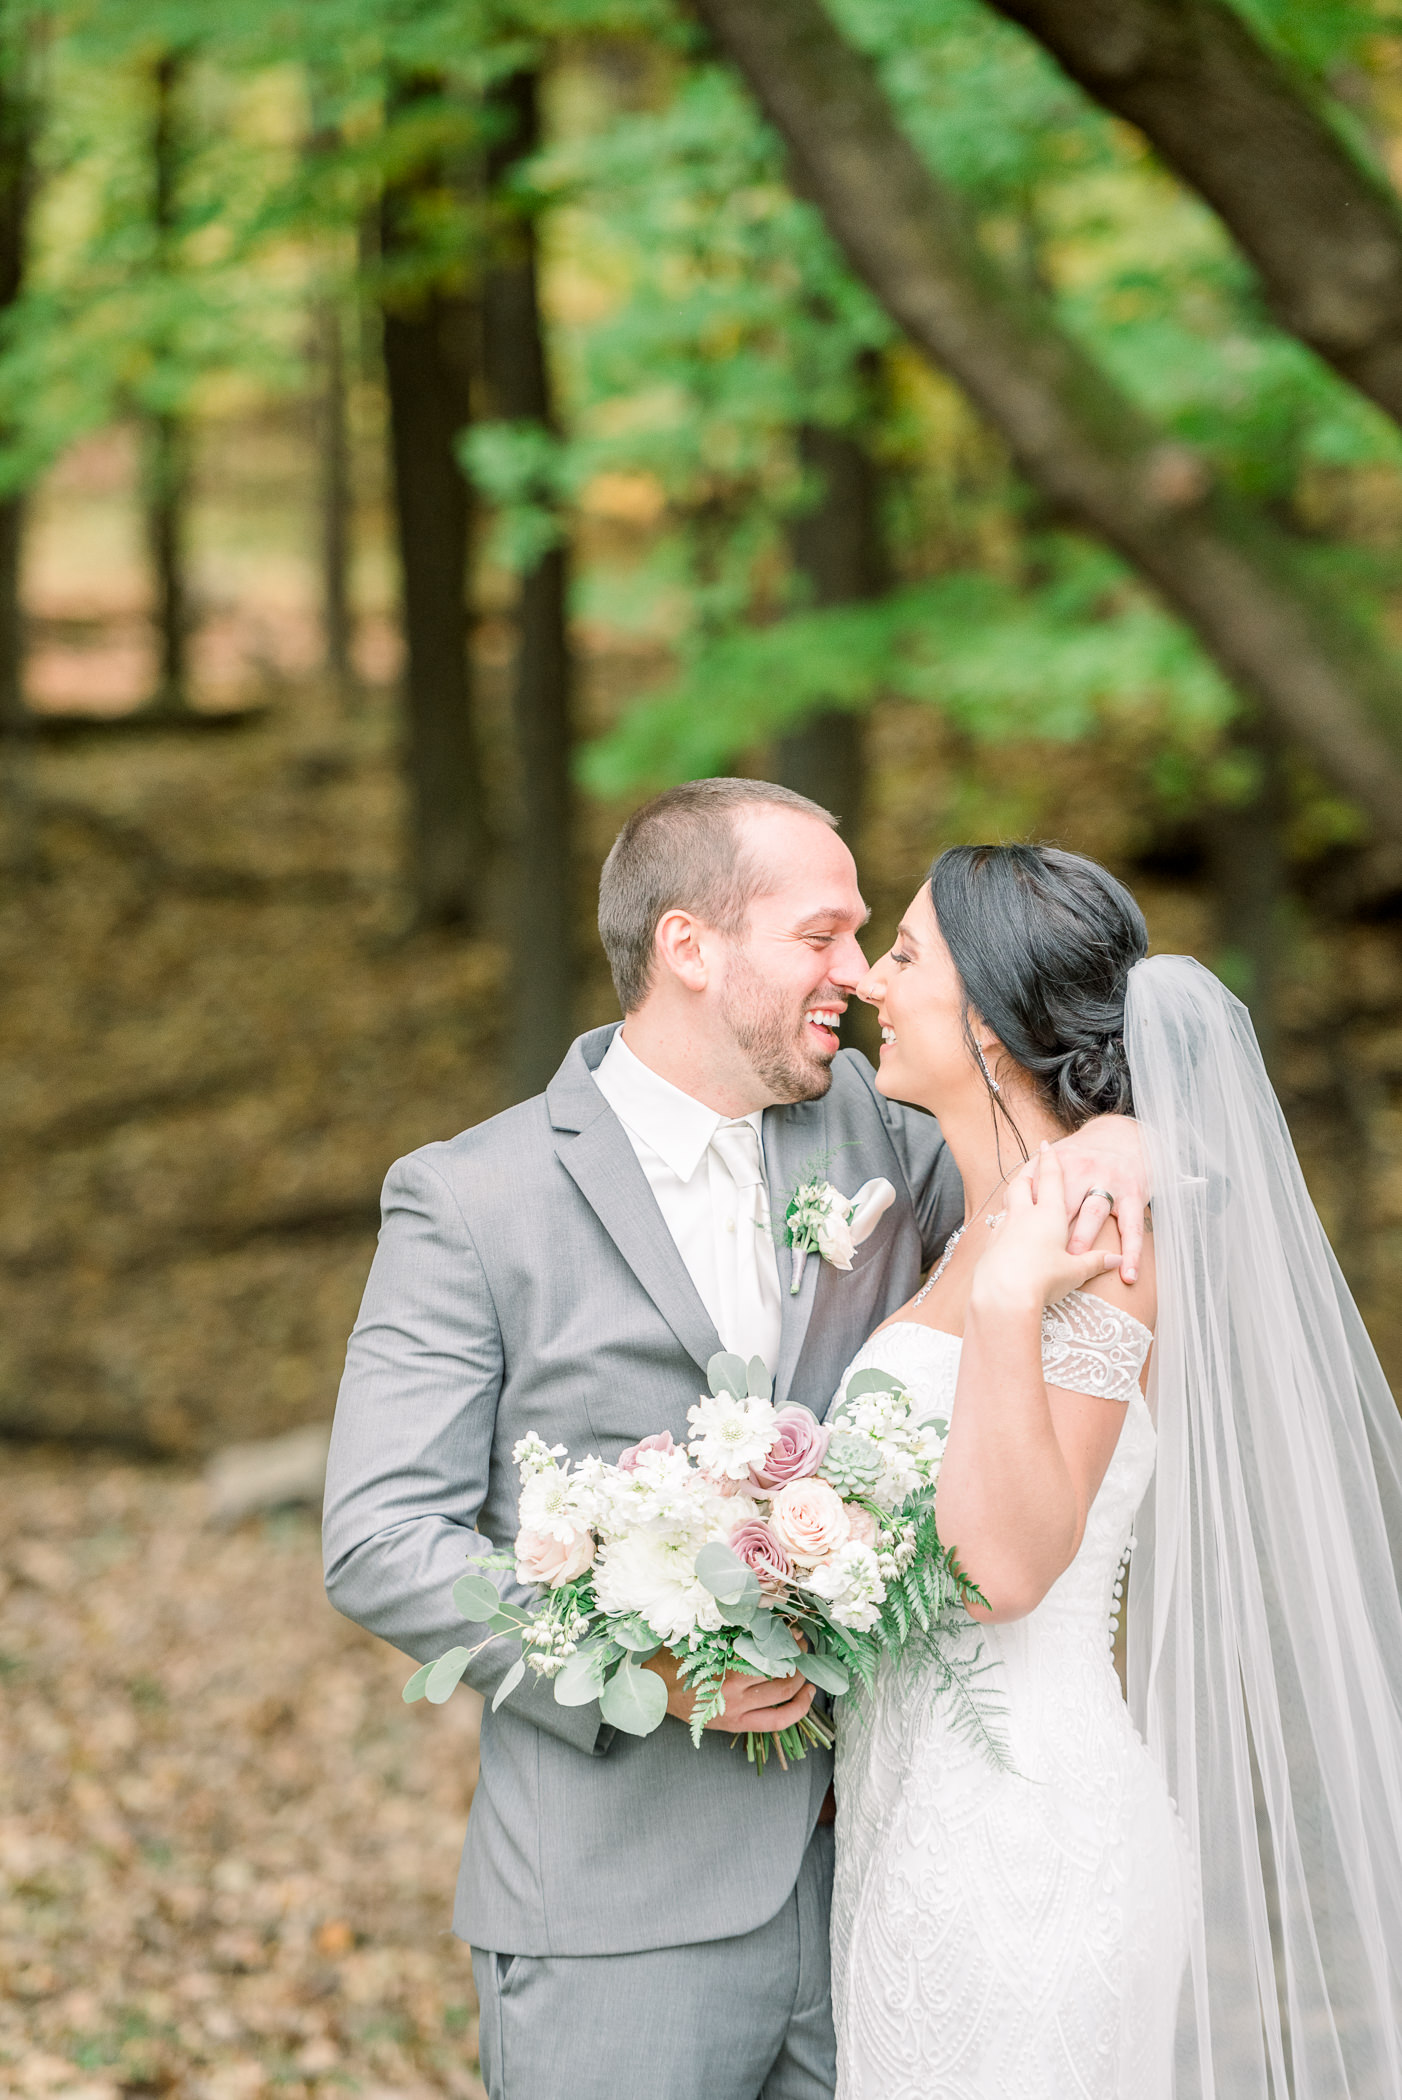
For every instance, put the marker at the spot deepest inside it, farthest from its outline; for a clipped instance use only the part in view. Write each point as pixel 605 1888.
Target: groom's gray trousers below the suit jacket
pixel 746 2019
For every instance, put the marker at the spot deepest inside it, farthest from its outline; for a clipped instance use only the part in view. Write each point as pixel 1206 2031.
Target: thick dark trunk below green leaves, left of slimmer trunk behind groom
pixel 429 335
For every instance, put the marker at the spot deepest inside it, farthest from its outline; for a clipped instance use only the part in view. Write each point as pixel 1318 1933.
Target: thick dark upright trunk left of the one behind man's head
pixel 431 324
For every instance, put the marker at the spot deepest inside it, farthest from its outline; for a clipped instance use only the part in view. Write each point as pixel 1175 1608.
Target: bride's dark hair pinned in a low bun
pixel 1044 944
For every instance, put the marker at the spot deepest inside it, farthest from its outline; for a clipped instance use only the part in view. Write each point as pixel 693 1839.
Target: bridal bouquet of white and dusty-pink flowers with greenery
pixel 769 1545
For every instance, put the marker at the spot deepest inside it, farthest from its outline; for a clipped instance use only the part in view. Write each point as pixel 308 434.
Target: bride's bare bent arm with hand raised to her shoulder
pixel 1025 1461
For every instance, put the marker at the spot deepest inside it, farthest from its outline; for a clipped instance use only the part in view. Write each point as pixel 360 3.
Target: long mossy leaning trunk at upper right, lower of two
pixel 1225 568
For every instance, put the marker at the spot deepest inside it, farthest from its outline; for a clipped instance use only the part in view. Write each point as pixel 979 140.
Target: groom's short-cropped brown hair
pixel 683 854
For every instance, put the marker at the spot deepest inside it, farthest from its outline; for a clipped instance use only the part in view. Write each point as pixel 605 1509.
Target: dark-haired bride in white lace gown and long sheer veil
pixel 1197 1893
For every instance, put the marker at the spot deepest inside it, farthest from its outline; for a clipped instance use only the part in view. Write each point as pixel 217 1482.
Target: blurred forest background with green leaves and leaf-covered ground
pixel 427 427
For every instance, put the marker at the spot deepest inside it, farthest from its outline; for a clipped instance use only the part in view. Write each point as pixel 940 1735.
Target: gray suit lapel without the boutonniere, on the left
pixel 595 1152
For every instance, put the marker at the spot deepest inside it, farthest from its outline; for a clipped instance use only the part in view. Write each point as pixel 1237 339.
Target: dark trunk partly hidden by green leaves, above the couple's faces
pixel 838 551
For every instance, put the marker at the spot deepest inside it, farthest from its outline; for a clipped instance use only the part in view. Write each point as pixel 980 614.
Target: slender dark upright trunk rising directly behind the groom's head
pixel 543 891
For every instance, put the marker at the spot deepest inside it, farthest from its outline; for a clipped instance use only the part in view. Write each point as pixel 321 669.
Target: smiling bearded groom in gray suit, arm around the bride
pixel 647 1923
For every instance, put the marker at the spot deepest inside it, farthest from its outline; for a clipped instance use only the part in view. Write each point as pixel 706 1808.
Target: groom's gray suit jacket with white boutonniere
pixel 526 1282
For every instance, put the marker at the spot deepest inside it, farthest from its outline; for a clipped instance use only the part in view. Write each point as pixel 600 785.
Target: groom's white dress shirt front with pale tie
pixel 710 1192
